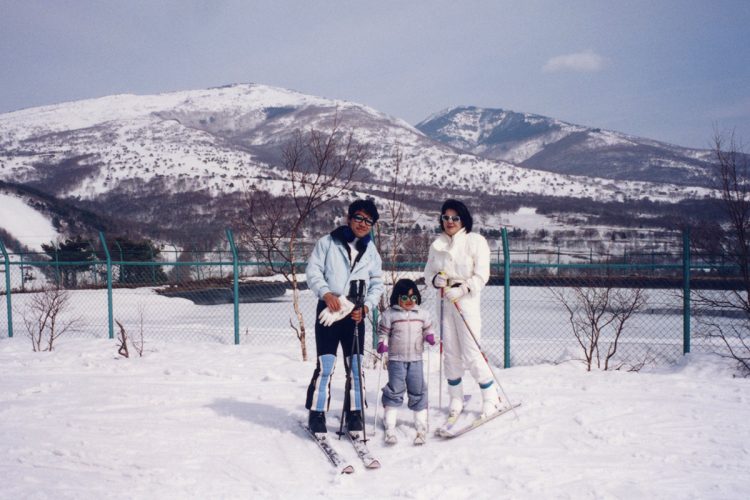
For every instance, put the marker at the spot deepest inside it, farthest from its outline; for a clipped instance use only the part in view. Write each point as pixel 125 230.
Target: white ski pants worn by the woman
pixel 460 351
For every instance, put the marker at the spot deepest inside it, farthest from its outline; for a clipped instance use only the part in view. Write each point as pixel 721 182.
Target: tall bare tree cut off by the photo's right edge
pixel 714 309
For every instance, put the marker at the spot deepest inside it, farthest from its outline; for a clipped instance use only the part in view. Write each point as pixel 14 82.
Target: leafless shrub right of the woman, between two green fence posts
pixel 597 314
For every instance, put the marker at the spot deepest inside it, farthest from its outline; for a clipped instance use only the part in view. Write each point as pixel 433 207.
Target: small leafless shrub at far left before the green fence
pixel 43 318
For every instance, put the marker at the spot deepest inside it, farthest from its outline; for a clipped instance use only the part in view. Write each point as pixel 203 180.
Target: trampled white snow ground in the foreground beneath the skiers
pixel 191 420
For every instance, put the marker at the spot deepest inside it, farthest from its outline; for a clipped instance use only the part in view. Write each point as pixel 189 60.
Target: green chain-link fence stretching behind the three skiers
pixel 621 311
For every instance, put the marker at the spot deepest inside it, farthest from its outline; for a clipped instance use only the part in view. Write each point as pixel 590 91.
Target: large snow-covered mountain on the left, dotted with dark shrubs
pixel 184 159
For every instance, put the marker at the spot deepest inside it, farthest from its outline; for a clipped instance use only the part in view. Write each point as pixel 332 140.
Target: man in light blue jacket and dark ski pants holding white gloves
pixel 345 272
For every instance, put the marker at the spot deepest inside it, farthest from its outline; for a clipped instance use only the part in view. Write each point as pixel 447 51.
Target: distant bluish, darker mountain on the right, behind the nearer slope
pixel 544 143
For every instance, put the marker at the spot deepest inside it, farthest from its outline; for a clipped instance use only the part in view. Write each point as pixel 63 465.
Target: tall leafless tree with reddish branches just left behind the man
pixel 321 166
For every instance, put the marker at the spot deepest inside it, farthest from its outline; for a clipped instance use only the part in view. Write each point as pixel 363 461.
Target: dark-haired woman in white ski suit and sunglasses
pixel 458 266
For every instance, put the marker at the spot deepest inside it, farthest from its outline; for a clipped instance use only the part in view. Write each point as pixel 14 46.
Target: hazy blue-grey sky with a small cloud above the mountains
pixel 671 70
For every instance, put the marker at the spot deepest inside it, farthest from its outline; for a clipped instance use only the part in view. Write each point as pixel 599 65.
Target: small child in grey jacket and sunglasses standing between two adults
pixel 403 329
